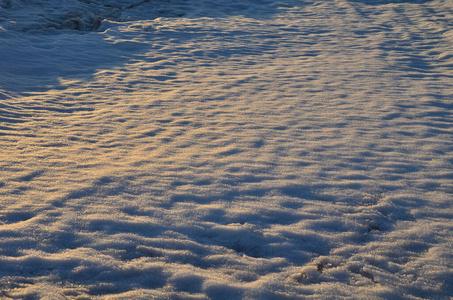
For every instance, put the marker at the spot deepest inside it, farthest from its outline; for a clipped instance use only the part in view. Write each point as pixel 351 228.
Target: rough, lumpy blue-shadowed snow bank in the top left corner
pixel 79 15
